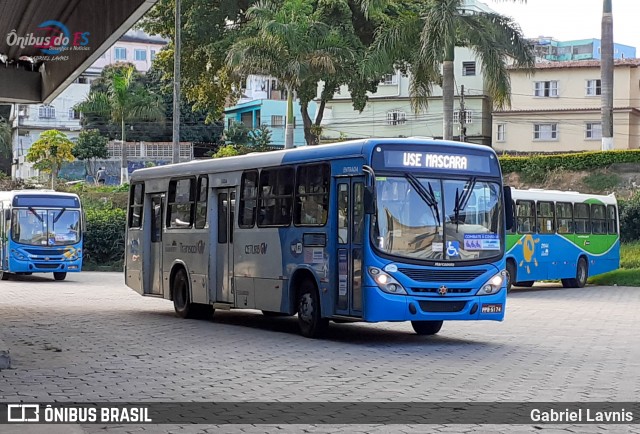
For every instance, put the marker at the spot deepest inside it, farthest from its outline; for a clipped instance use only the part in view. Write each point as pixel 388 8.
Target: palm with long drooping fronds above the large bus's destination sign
pixel 425 41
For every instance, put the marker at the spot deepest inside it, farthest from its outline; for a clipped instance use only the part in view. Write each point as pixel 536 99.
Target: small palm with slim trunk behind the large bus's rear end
pixel 124 101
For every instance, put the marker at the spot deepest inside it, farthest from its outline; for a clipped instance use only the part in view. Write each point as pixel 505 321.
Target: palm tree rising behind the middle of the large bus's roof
pixel 288 44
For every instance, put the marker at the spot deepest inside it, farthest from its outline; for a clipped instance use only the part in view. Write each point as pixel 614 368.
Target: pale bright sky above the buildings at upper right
pixel 567 20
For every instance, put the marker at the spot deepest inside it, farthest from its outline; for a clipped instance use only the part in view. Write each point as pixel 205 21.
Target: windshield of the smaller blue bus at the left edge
pixel 45 227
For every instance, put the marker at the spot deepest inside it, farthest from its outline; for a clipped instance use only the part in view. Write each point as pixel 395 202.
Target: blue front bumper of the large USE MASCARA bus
pixel 380 306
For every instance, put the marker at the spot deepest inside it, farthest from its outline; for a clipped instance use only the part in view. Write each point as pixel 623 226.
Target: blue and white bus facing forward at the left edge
pixel 41 232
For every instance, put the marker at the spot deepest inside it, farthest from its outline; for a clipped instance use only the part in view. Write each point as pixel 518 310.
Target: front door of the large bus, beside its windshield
pixel 350 239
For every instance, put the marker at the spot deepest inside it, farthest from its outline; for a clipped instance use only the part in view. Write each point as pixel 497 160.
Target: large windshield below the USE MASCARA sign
pixel 438 219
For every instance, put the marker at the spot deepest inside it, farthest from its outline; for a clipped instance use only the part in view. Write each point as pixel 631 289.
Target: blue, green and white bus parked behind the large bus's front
pixel 561 235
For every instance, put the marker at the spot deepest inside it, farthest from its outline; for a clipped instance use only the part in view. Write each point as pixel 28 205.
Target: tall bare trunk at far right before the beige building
pixel 606 76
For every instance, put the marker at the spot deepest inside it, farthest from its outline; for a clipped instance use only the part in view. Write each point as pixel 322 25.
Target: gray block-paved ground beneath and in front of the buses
pixel 90 338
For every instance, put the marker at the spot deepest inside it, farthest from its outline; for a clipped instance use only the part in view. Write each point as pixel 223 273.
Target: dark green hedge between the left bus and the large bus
pixel 104 239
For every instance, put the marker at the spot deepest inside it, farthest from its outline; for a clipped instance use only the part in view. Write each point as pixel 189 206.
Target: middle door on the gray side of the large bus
pixel 224 248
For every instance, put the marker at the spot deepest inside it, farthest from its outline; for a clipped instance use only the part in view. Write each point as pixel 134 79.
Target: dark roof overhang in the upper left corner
pixel 46 44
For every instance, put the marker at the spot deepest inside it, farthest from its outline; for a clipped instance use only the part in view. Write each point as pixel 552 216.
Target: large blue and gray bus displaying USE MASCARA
pixel 367 230
